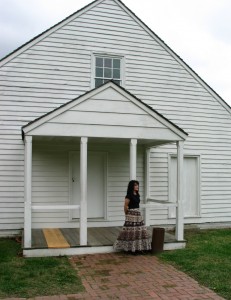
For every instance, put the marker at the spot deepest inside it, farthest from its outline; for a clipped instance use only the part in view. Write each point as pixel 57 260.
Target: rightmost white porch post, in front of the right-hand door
pixel 179 210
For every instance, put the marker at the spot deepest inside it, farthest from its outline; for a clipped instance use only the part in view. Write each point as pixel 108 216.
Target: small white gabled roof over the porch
pixel 108 111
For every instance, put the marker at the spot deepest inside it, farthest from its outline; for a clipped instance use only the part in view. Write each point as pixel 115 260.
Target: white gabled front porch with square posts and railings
pixel 62 191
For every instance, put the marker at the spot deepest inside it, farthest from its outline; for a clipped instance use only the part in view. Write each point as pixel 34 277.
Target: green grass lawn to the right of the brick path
pixel 206 258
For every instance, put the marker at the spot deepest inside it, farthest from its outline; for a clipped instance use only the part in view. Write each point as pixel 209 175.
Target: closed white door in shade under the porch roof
pixel 96 163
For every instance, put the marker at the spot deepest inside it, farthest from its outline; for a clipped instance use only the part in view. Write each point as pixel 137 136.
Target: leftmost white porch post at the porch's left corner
pixel 27 191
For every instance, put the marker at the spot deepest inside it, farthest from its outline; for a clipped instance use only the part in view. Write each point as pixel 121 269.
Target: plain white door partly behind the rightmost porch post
pixel 191 196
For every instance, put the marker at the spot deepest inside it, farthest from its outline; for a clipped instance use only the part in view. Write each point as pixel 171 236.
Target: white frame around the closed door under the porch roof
pixel 105 156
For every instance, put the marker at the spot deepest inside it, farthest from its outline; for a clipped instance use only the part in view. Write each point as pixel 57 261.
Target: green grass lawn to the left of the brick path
pixel 30 277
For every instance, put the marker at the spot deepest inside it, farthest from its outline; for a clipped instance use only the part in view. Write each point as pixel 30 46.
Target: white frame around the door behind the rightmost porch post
pixel 198 160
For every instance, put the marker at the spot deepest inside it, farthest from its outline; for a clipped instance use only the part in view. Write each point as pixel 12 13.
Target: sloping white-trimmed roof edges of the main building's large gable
pixel 140 22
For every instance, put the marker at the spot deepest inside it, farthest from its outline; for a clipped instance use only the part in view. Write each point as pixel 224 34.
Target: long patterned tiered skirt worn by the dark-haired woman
pixel 134 235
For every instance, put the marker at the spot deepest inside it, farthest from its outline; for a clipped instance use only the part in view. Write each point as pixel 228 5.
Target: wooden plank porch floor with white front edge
pixel 66 241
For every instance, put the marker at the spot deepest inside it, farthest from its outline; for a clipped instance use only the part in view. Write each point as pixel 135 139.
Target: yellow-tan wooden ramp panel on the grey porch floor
pixel 55 238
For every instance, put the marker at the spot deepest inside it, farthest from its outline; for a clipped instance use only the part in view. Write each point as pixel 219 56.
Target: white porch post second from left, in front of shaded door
pixel 83 191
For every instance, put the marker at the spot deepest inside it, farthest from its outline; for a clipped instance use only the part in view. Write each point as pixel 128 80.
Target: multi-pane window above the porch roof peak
pixel 107 68
